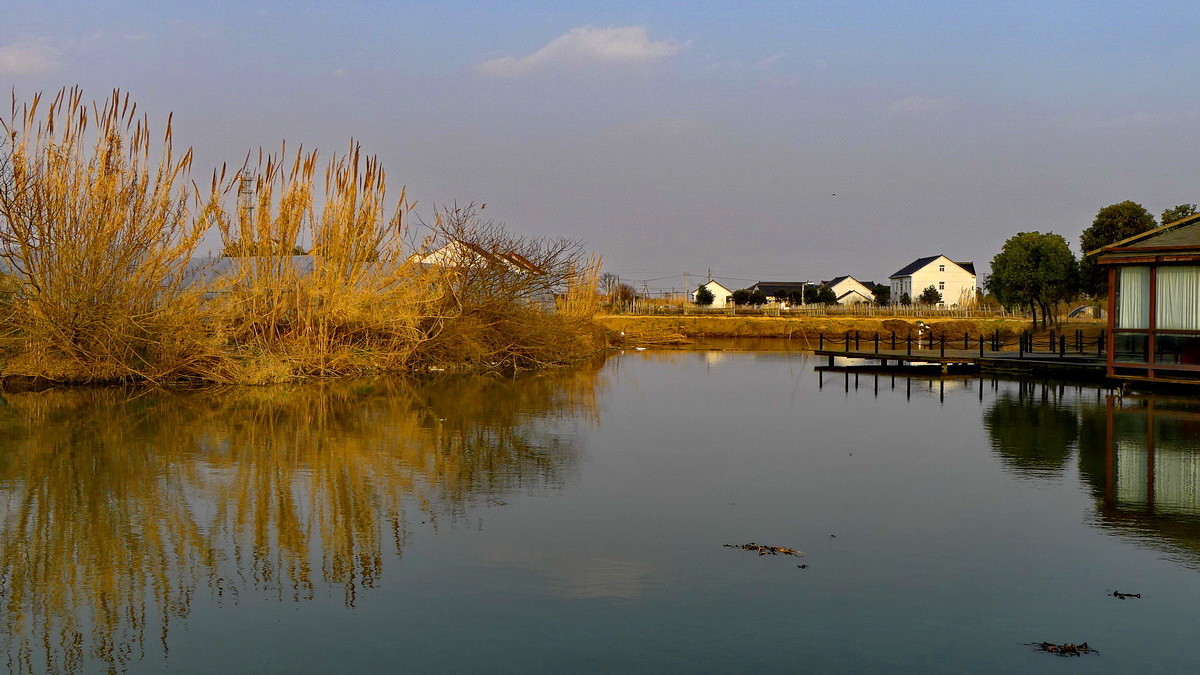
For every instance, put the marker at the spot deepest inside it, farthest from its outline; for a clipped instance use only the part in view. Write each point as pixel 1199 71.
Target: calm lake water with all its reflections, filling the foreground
pixel 577 522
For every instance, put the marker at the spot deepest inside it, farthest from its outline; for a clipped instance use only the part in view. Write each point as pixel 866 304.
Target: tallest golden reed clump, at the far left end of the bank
pixel 97 231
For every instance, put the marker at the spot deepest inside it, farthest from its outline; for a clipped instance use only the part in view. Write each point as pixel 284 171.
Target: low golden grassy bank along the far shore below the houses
pixel 680 330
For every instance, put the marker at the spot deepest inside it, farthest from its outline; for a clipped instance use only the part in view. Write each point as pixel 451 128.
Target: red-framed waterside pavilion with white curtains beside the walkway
pixel 1155 304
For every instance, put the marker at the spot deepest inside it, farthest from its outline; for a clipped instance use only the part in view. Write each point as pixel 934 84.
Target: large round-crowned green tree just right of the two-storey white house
pixel 1035 271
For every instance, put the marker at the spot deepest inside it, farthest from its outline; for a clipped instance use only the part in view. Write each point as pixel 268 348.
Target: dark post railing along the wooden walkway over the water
pixel 1054 344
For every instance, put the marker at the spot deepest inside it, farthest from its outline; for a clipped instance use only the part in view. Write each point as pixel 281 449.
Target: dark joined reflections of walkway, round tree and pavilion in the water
pixel 1138 456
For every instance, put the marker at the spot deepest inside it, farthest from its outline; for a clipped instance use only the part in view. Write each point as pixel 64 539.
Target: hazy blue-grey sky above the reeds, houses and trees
pixel 760 141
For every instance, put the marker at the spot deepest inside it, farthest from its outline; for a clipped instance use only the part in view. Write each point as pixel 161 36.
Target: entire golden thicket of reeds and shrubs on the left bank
pixel 99 226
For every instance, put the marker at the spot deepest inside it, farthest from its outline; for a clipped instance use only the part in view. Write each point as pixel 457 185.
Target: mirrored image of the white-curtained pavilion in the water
pixel 1151 471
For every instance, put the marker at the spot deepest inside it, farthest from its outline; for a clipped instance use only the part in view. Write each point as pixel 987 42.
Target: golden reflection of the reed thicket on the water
pixel 117 509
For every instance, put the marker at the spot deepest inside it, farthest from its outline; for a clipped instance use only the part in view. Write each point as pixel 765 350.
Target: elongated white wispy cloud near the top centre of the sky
pixel 587 47
